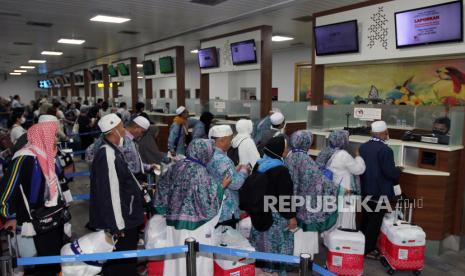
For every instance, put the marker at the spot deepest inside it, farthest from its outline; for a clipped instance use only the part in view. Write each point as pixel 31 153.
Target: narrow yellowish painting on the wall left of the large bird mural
pixel 302 82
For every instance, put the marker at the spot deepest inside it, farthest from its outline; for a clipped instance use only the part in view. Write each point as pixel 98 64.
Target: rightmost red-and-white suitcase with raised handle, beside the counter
pixel 402 244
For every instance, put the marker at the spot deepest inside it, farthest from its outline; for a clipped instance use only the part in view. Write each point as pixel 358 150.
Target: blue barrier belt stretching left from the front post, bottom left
pixel 102 256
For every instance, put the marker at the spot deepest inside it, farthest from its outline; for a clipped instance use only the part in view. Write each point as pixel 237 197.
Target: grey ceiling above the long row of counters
pixel 158 23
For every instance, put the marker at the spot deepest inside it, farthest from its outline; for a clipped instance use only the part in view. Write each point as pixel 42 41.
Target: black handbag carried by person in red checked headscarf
pixel 45 219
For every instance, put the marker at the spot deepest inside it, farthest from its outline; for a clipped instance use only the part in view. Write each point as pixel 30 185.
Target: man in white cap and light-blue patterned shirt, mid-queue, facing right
pixel 221 166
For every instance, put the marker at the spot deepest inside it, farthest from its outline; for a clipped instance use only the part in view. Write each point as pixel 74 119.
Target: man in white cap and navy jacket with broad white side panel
pixel 116 202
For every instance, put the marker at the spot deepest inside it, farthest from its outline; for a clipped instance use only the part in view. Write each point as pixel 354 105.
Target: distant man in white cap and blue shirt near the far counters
pixel 178 132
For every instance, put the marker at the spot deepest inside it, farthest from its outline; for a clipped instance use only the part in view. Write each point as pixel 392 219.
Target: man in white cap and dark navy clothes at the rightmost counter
pixel 378 181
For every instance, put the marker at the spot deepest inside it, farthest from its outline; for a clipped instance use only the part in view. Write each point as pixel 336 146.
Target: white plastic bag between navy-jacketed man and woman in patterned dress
pixel 155 232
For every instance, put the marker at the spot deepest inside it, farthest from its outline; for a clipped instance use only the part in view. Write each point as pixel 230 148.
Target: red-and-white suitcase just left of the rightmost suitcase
pixel 346 249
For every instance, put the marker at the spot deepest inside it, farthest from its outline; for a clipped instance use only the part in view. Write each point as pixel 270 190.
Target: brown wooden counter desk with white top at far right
pixel 430 177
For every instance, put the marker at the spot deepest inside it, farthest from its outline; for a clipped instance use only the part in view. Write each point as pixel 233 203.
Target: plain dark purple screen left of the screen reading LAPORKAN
pixel 336 38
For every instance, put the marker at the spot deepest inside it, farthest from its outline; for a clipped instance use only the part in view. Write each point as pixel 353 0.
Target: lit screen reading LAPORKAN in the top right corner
pixel 434 24
